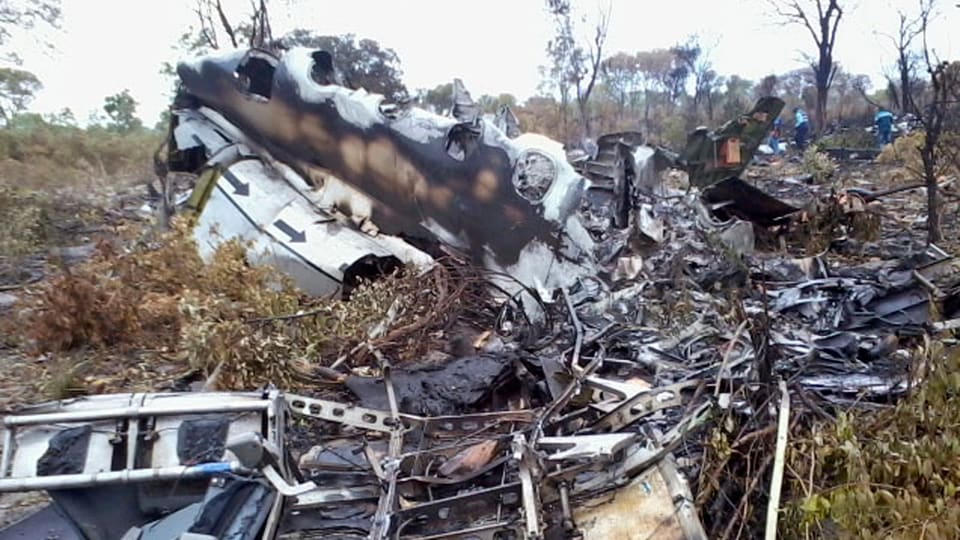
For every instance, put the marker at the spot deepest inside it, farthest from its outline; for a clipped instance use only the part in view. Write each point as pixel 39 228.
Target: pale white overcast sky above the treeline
pixel 493 45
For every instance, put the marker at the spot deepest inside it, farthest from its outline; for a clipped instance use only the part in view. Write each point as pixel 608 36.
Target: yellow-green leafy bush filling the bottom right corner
pixel 890 474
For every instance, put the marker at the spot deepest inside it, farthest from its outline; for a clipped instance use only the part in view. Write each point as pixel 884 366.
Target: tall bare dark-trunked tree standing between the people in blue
pixel 822 26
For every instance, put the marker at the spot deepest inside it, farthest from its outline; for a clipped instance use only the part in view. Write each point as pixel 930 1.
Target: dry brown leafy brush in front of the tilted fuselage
pixel 145 317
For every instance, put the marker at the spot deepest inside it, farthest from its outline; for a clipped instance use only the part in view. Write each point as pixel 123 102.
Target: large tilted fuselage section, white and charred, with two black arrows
pixel 331 183
